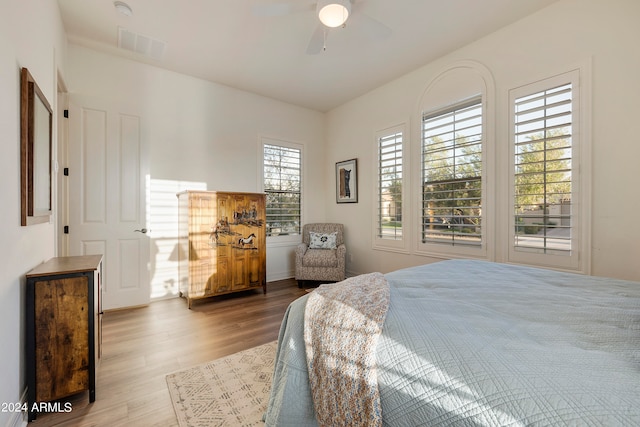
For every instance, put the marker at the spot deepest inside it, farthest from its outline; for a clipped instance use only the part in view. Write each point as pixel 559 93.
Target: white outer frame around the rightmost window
pixel 579 259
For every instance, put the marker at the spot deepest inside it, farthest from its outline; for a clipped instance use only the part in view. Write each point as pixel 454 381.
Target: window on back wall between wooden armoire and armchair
pixel 282 184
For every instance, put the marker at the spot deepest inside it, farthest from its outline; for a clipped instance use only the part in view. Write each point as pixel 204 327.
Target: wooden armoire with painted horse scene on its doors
pixel 221 243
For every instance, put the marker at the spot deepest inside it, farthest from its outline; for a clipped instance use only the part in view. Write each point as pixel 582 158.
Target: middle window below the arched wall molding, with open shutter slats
pixel 451 166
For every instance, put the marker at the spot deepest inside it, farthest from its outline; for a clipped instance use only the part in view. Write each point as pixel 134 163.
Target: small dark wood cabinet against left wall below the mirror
pixel 63 328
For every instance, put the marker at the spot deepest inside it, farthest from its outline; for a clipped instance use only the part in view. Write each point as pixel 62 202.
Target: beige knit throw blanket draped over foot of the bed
pixel 342 324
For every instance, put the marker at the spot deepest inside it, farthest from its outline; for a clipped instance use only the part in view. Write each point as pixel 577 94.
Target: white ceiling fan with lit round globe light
pixel 332 14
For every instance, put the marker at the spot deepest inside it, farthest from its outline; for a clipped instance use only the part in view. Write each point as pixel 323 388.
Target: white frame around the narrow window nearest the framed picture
pixel 400 245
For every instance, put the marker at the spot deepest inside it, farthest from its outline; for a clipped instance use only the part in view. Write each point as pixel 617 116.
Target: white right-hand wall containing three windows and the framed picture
pixel 566 34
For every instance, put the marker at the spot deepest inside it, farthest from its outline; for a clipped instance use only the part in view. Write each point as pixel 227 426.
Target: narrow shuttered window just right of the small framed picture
pixel 390 188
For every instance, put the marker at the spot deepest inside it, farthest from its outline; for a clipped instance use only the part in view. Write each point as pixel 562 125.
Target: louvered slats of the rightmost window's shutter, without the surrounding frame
pixel 543 171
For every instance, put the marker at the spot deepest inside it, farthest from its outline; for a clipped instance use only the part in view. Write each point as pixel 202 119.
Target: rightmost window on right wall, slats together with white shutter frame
pixel 545 228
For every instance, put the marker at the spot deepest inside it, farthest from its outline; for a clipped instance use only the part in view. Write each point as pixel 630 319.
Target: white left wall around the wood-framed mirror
pixel 31 36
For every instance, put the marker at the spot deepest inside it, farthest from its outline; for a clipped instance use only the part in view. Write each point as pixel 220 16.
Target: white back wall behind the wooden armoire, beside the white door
pixel 204 134
